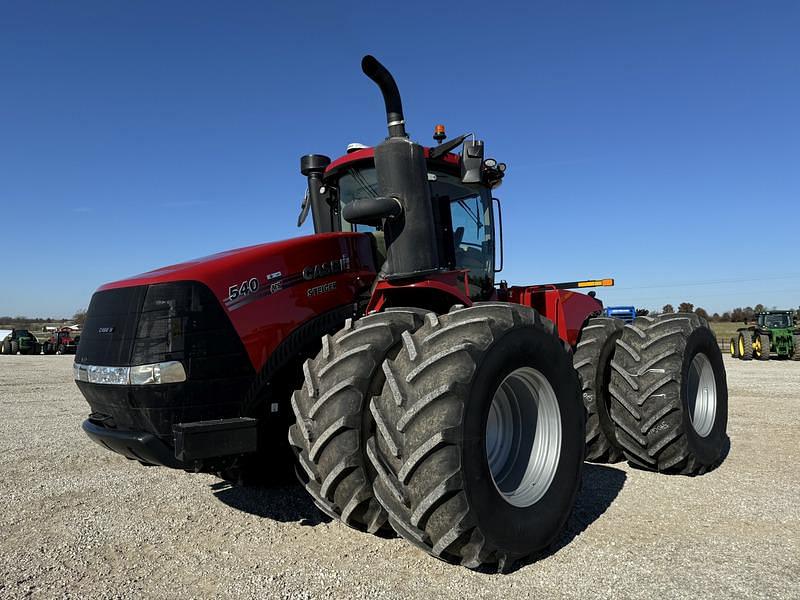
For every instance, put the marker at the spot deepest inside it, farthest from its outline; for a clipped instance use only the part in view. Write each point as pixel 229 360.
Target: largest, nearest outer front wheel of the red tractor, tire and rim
pixel 479 443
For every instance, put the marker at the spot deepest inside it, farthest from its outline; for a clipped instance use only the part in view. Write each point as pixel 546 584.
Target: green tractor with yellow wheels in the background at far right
pixel 774 333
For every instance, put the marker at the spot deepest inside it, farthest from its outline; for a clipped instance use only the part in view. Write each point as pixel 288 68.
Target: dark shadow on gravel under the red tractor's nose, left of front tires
pixel 285 501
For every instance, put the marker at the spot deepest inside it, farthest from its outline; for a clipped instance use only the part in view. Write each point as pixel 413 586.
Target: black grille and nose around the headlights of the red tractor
pixel 180 321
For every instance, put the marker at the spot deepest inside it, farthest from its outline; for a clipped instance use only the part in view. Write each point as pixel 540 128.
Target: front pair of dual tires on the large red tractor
pixel 472 445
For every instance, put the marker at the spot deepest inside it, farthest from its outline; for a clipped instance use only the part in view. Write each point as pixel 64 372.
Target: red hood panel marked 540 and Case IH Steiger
pixel 270 289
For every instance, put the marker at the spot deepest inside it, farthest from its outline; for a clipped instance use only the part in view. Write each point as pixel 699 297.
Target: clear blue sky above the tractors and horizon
pixel 648 141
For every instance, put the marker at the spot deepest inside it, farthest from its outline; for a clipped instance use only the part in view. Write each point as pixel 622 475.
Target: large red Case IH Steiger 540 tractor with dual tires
pixel 417 392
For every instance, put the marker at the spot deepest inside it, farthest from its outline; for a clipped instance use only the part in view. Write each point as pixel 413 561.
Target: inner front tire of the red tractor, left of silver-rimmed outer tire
pixel 333 420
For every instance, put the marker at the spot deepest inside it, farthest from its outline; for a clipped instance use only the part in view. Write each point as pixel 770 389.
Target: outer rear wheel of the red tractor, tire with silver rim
pixel 670 396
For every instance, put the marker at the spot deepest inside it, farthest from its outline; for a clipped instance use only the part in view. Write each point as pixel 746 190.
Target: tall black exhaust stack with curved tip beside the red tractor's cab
pixel 404 207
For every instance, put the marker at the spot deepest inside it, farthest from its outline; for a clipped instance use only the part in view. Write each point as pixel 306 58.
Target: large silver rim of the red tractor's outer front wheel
pixel 523 437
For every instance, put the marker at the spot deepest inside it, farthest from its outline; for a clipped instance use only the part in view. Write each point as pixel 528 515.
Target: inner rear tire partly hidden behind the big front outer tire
pixel 592 361
